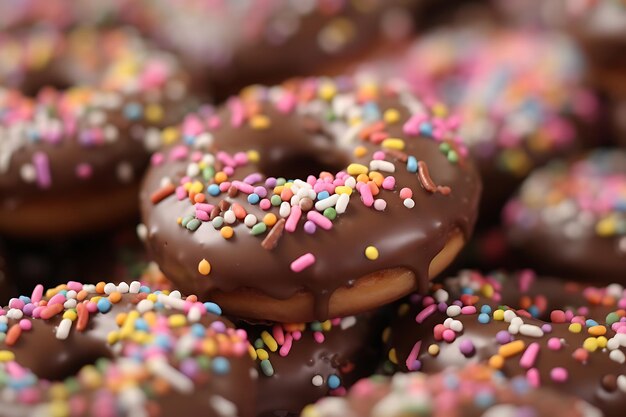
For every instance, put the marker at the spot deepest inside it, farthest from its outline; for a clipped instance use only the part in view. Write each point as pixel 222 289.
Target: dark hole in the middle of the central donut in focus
pixel 301 165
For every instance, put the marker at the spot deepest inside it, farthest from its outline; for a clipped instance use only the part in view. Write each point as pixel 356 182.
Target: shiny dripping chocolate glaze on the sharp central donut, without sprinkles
pixel 404 237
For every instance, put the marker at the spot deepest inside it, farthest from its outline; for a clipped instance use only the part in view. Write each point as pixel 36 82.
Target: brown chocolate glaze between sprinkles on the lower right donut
pixel 586 380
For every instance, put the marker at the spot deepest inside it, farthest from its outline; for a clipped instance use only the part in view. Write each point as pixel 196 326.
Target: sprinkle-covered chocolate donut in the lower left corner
pixel 121 350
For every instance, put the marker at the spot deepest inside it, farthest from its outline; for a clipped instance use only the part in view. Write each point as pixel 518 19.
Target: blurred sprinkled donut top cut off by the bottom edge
pixel 473 391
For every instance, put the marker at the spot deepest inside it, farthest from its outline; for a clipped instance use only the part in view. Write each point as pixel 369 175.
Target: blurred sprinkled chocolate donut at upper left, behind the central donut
pixel 71 157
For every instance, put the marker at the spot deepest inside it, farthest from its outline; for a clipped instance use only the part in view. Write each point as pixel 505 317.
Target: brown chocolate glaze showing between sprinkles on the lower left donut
pixel 64 358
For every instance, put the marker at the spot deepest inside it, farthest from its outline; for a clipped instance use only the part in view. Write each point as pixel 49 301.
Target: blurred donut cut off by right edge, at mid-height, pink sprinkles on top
pixel 571 217
